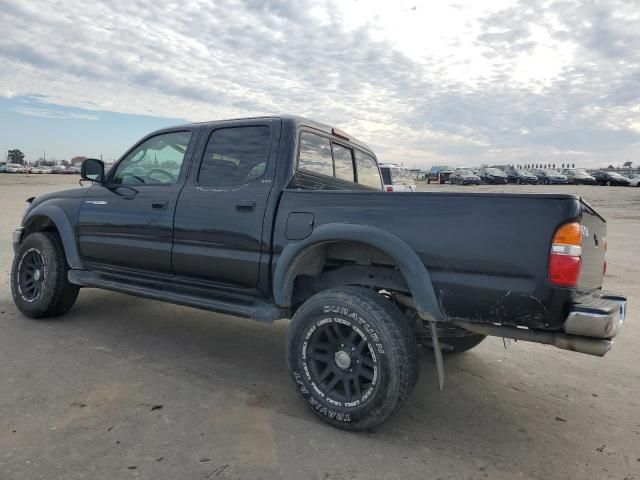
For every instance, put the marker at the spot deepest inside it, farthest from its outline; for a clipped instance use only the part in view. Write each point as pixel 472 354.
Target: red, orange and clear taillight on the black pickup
pixel 566 250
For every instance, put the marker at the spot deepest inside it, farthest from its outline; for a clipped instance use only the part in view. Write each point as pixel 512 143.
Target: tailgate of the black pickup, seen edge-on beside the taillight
pixel 594 230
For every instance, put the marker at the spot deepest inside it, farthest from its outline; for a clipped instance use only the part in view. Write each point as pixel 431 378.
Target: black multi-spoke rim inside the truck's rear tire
pixel 341 363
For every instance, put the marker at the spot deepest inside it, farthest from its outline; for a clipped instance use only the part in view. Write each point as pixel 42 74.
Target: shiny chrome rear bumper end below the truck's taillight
pixel 596 316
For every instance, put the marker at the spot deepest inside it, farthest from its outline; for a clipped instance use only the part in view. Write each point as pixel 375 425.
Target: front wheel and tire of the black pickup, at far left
pixel 56 295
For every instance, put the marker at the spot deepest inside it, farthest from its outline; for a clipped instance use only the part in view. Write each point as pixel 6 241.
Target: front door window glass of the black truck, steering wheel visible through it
pixel 157 161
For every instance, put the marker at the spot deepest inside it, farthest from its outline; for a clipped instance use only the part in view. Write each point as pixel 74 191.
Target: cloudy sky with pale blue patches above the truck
pixel 422 82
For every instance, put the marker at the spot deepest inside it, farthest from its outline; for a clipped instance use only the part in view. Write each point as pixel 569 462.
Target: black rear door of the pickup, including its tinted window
pixel 219 218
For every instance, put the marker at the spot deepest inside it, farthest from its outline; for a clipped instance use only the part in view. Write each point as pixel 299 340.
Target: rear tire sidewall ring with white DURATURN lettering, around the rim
pixel 334 310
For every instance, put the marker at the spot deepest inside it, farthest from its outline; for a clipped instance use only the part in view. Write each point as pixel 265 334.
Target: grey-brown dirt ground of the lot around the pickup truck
pixel 123 387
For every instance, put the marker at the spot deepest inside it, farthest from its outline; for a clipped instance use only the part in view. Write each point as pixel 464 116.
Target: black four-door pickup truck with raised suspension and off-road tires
pixel 282 217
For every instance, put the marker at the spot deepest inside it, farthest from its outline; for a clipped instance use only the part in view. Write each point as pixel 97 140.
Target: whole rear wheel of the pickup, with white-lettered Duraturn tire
pixel 385 336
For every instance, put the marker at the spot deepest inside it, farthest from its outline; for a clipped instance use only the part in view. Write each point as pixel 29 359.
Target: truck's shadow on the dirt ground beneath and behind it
pixel 488 409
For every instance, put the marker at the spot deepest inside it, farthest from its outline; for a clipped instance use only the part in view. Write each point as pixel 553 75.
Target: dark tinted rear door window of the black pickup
pixel 235 156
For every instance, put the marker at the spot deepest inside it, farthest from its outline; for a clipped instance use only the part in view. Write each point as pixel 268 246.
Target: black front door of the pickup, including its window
pixel 127 223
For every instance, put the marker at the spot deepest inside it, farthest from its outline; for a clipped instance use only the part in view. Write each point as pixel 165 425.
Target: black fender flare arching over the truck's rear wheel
pixel 414 271
